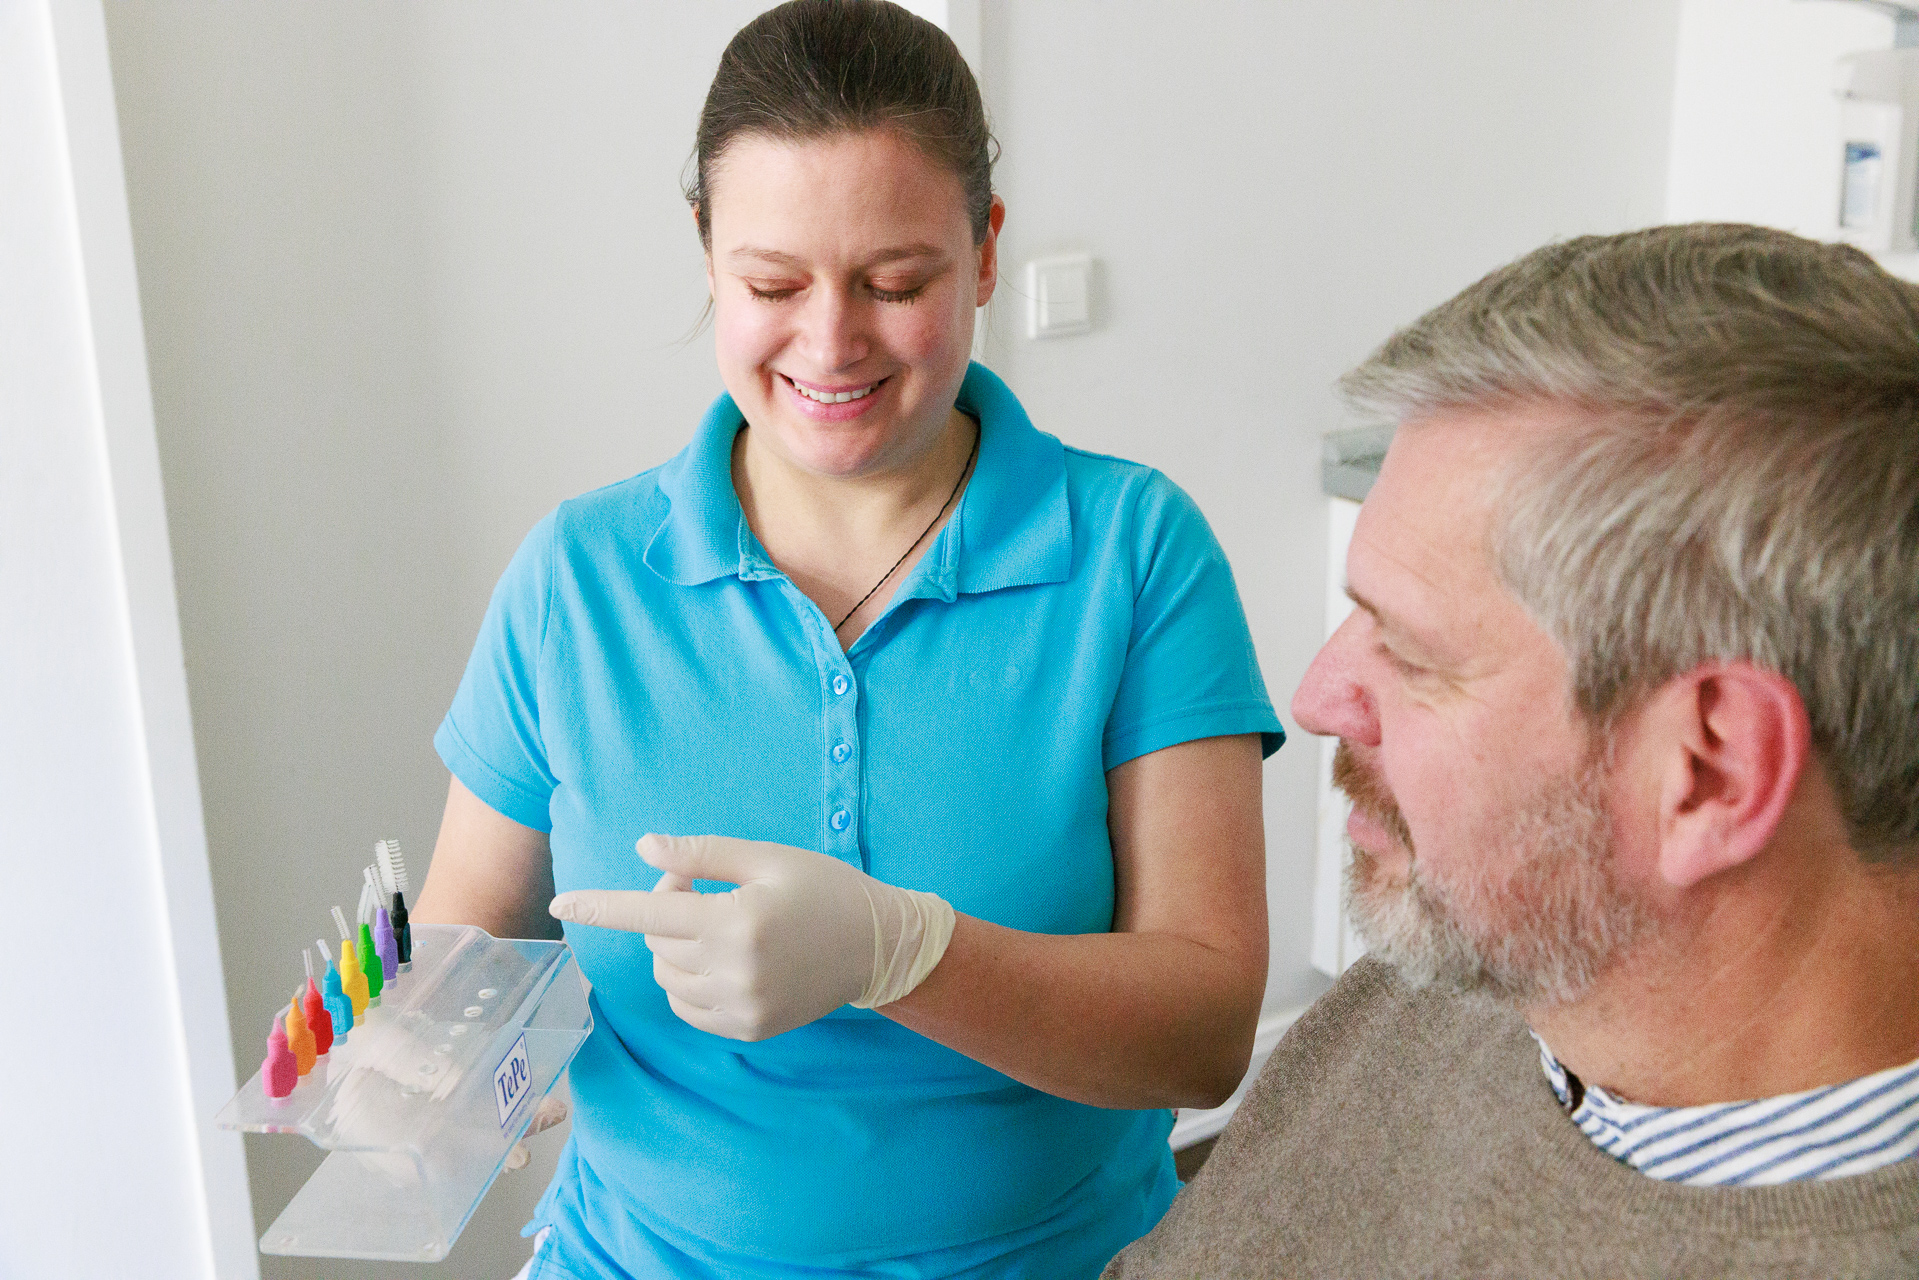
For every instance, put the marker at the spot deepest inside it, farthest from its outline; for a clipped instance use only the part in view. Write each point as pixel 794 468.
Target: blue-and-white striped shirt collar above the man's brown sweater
pixel 1824 1133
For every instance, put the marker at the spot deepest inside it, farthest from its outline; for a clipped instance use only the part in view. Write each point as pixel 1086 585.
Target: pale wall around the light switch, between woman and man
pixel 1269 191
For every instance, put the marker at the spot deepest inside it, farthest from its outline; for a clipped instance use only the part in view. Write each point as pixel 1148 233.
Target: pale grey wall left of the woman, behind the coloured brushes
pixel 412 275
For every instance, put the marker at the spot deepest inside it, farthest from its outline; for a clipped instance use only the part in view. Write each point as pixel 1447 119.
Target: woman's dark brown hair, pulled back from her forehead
pixel 817 68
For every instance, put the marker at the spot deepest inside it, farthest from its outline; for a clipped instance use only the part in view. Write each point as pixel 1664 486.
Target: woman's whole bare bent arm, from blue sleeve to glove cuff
pixel 1162 1010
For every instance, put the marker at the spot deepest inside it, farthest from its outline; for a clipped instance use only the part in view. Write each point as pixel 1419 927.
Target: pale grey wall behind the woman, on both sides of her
pixel 415 273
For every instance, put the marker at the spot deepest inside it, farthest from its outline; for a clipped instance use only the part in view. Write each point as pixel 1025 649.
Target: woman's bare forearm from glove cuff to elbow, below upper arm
pixel 1114 1020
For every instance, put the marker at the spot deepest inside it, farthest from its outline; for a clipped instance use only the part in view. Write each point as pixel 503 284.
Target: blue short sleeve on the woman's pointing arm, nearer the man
pixel 1191 669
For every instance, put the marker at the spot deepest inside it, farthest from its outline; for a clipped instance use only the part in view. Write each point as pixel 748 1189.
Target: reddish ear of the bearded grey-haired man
pixel 1732 746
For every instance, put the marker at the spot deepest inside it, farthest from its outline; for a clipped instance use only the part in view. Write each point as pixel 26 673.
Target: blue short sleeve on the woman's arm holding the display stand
pixel 490 738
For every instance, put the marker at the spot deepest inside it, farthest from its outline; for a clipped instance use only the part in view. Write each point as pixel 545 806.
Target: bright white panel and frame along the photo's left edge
pixel 114 1051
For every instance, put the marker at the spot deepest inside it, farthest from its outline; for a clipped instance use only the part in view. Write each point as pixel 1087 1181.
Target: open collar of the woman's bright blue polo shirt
pixel 1014 527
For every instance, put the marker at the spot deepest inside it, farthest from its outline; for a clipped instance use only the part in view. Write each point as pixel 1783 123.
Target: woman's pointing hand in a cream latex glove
pixel 801 936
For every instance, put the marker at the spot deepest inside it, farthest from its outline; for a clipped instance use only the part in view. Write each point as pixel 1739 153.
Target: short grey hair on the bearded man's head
pixel 1747 486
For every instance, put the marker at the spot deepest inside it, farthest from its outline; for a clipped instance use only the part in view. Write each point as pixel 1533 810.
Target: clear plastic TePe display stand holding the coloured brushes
pixel 427 1097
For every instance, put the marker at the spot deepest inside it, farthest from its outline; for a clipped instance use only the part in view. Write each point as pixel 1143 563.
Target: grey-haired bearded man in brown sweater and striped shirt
pixel 1630 717
